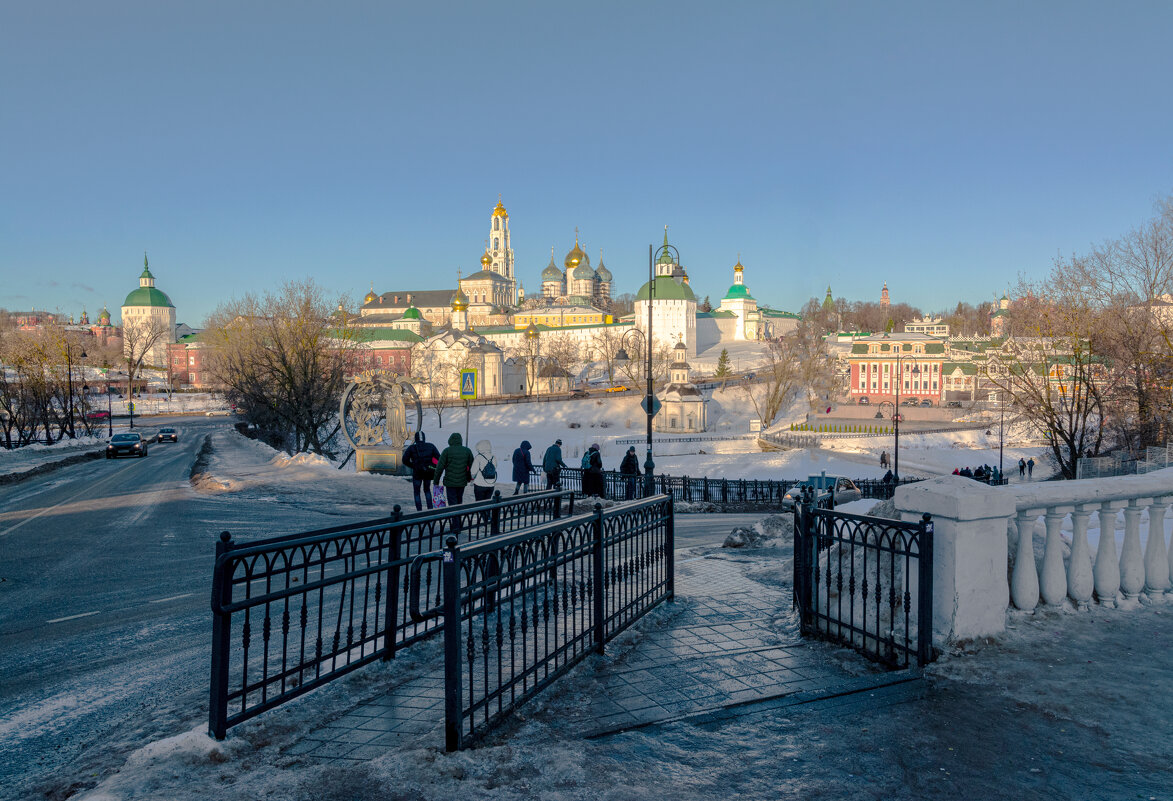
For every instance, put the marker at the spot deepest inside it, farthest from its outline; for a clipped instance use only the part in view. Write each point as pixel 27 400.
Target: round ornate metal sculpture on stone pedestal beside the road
pixel 374 415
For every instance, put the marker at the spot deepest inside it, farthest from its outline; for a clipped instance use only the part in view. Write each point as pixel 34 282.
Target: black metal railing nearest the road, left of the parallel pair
pixel 296 612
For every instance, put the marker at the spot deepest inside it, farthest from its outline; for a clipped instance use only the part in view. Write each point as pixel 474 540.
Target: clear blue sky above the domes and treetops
pixel 945 148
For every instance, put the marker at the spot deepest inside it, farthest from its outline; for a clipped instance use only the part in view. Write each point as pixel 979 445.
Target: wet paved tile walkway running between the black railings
pixel 718 651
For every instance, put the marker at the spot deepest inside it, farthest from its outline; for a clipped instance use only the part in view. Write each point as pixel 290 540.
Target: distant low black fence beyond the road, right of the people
pixel 743 492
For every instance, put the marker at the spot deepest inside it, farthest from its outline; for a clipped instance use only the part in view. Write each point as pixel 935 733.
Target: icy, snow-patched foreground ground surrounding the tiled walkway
pixel 1063 705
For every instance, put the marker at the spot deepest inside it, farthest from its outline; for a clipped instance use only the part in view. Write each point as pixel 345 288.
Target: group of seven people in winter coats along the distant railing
pixel 457 467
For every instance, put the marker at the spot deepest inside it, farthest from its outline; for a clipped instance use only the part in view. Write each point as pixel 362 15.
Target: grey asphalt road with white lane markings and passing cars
pixel 105 621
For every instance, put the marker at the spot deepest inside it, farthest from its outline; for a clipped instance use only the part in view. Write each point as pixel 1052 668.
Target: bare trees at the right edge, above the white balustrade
pixel 1095 340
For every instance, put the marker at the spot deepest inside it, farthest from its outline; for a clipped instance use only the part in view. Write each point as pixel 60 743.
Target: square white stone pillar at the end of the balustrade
pixel 971 586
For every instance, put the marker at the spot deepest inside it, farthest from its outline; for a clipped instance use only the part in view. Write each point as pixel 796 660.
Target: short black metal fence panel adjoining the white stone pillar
pixel 866 582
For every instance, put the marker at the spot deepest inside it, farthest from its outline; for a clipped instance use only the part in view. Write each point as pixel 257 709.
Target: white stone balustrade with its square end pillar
pixel 972 588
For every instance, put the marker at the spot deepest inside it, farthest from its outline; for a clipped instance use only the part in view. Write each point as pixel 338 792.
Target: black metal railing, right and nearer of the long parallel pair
pixel 520 610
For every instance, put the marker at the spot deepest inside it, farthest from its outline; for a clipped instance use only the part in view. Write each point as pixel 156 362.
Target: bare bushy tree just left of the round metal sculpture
pixel 283 359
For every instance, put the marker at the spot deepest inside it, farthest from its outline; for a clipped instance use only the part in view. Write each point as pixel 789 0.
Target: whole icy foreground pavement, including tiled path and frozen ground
pixel 713 697
